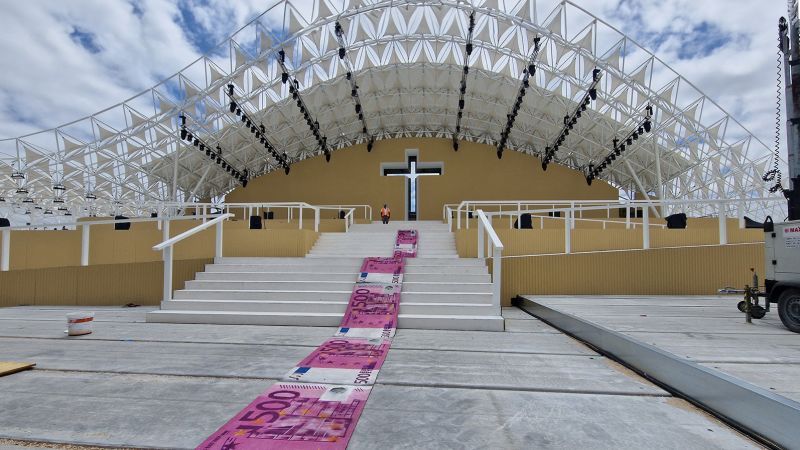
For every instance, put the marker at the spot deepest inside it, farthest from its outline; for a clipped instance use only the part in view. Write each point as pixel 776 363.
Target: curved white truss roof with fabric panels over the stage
pixel 406 58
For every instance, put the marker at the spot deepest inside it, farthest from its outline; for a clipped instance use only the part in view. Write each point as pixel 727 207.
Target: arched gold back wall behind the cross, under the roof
pixel 473 173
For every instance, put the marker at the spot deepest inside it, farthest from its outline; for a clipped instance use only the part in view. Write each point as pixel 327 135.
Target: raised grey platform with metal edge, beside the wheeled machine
pixel 750 363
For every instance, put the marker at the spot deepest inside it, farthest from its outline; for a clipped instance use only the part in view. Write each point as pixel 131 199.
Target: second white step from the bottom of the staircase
pixel 457 309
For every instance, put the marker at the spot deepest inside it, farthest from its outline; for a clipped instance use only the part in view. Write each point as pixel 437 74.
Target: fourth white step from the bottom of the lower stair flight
pixel 316 285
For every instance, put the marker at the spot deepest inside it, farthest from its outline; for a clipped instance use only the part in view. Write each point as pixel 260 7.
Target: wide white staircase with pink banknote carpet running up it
pixel 440 290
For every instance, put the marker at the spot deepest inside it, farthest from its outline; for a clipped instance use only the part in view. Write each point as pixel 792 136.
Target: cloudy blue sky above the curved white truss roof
pixel 62 60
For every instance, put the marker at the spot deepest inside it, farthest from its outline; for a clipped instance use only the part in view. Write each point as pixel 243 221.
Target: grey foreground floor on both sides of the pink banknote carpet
pixel 153 385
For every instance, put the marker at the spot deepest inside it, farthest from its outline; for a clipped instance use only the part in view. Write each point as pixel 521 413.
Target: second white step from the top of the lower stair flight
pixel 321 267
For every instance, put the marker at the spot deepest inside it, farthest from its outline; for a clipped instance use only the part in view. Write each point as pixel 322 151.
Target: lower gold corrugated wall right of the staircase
pixel 669 271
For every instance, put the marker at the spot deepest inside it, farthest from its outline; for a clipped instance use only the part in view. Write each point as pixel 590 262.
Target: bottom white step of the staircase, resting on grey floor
pixel 430 322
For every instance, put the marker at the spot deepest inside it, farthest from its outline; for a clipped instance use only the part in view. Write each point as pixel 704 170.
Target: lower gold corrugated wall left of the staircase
pixel 99 285
